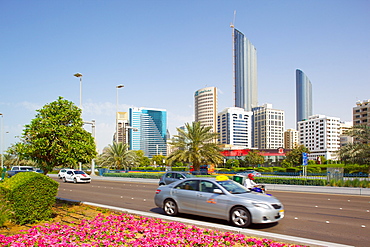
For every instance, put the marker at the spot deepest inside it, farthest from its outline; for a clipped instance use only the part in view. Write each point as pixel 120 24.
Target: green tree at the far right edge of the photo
pixel 359 151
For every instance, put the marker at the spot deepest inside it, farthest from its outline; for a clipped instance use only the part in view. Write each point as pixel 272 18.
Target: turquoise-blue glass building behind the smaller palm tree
pixel 151 131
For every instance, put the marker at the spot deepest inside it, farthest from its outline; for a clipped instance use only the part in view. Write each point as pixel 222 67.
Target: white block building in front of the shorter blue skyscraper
pixel 321 135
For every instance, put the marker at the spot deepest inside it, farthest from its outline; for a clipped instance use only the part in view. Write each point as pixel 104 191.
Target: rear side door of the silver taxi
pixel 185 195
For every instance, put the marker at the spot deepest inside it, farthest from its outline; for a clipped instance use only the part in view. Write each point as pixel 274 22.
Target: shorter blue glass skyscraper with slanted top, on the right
pixel 303 96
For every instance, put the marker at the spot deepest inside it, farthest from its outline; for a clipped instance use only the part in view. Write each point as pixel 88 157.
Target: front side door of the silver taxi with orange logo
pixel 211 204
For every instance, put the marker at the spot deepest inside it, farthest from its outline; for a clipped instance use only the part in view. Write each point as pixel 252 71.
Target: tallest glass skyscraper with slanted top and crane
pixel 245 71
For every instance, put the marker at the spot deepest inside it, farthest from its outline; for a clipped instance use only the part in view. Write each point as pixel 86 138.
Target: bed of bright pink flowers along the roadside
pixel 129 230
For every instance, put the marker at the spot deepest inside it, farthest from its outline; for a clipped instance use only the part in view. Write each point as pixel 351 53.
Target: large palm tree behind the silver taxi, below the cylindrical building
pixel 196 144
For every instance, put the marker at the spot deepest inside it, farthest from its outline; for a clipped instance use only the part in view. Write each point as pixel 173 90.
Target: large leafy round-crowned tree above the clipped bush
pixel 56 137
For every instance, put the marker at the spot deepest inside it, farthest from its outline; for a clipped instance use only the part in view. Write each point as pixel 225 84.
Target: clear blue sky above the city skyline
pixel 162 51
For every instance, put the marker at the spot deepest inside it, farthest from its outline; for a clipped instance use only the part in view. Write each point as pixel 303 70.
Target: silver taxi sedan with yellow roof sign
pixel 218 198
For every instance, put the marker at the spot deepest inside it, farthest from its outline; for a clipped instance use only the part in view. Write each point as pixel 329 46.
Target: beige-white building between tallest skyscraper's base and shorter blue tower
pixel 268 127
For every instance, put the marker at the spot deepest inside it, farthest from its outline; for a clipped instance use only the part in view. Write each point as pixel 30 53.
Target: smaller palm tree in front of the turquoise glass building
pixel 118 156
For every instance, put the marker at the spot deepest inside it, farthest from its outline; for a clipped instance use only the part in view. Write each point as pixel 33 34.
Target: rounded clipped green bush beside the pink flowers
pixel 30 197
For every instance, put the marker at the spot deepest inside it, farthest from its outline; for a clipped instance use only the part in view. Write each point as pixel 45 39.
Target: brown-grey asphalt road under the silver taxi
pixel 343 219
